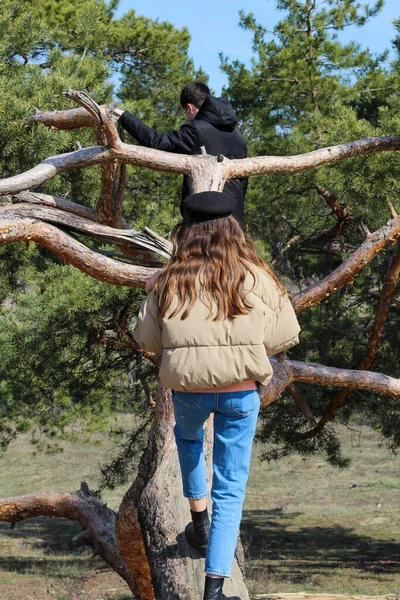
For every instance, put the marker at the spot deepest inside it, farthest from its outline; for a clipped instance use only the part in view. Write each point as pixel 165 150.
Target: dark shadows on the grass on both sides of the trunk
pixel 267 537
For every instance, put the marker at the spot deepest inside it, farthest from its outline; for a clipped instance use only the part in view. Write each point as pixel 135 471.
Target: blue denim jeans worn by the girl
pixel 235 419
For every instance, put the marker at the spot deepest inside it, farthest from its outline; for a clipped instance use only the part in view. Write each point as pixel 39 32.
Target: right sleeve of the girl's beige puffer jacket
pixel 281 328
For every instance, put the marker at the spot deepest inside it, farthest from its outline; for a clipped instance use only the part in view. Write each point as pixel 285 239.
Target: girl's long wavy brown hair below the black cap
pixel 215 255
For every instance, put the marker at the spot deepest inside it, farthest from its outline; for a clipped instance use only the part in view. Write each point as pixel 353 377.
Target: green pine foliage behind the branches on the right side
pixel 305 89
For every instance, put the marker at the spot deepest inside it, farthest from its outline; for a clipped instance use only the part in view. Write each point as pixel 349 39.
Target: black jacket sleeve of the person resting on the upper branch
pixel 181 140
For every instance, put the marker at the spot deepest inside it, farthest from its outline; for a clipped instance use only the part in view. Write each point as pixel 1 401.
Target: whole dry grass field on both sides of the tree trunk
pixel 306 526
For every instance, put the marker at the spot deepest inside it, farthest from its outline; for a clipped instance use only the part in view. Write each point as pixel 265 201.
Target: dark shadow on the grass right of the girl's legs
pixel 268 538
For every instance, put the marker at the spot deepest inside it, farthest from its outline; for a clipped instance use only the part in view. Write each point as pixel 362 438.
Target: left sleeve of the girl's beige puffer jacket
pixel 148 331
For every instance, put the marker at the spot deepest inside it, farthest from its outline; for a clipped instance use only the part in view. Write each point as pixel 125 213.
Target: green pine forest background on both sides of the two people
pixel 64 371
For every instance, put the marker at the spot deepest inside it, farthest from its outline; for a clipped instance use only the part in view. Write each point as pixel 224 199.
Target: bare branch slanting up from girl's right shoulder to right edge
pixel 345 273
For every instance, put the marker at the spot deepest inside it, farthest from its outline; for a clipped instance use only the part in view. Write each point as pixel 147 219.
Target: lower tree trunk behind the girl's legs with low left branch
pixel 144 542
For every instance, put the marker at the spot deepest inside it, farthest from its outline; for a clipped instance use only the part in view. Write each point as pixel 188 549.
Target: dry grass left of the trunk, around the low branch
pixel 36 558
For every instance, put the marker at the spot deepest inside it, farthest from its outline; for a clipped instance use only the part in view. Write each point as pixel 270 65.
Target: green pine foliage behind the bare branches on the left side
pixel 46 48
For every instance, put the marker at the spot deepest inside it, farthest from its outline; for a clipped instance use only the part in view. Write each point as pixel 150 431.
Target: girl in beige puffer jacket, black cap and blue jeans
pixel 215 315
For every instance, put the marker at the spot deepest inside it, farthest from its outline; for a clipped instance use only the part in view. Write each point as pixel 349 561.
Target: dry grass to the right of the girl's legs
pixel 308 527
